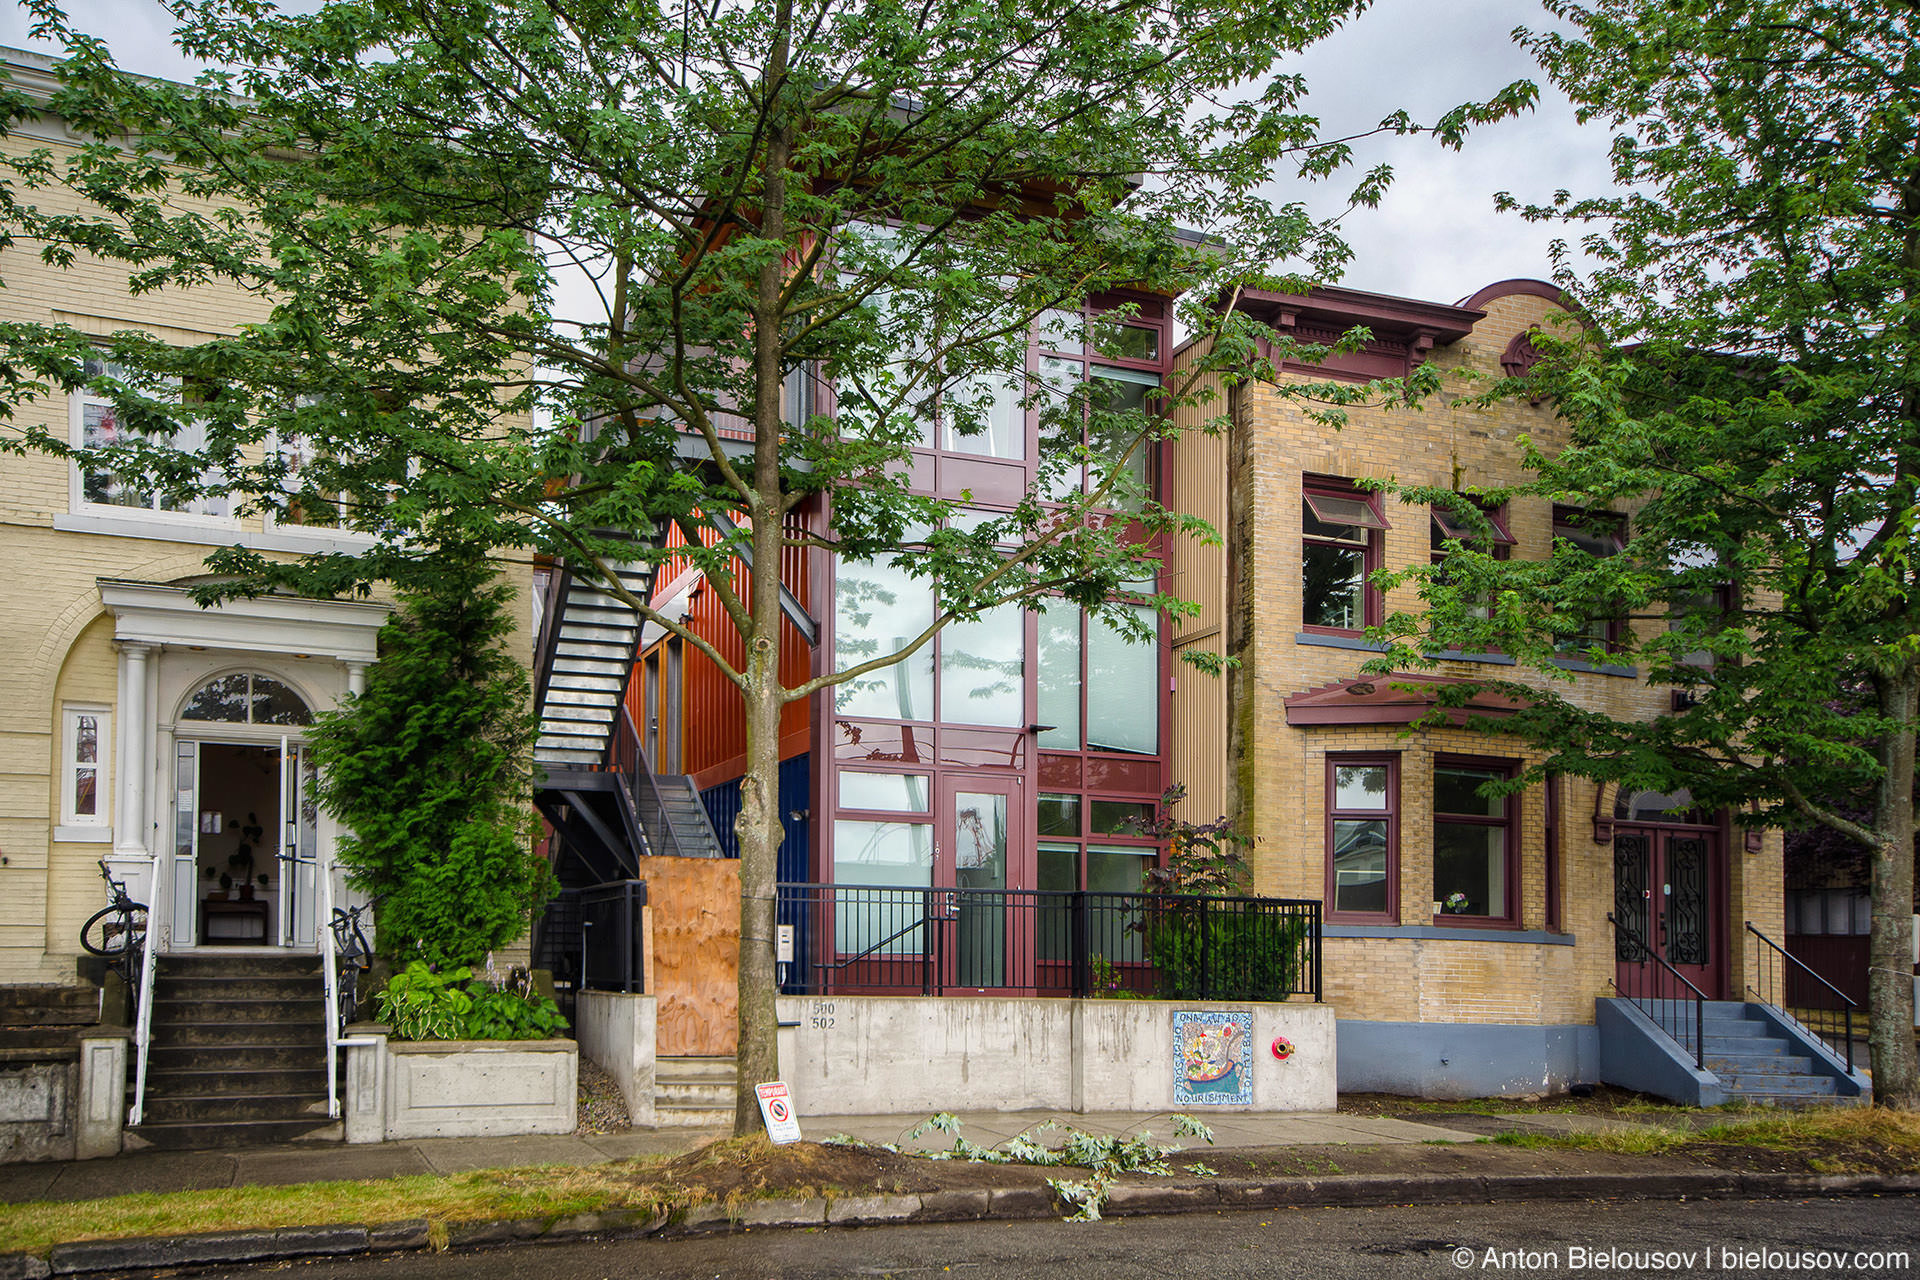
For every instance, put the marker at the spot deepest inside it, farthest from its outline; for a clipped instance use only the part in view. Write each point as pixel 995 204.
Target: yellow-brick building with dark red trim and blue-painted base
pixel 1493 991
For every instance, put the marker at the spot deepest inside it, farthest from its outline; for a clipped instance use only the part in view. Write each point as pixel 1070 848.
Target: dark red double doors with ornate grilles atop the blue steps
pixel 1669 889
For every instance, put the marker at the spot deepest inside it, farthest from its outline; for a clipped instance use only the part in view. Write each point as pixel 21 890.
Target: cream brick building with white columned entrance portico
pixel 137 726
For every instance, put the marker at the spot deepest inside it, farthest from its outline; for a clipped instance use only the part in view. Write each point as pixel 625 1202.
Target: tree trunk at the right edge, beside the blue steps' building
pixel 1890 989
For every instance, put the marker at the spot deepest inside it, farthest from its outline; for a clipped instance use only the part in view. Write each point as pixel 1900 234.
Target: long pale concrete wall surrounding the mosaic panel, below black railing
pixel 884 1055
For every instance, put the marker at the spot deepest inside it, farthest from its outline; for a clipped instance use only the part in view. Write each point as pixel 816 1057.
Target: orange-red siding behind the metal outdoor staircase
pixel 713 723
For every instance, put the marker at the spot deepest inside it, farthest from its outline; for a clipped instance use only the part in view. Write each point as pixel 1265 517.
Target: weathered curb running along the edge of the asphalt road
pixel 1001 1204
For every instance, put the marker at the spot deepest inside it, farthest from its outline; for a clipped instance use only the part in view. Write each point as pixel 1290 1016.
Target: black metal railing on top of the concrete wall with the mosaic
pixel 880 939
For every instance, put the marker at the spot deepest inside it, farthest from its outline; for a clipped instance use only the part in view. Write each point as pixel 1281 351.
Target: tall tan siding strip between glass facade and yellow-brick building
pixel 1197 485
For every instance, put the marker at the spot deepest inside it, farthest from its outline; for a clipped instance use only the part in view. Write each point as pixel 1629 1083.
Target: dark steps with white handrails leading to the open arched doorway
pixel 239 1055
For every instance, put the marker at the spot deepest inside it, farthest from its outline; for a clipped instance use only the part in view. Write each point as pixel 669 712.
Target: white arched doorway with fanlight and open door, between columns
pixel 245 832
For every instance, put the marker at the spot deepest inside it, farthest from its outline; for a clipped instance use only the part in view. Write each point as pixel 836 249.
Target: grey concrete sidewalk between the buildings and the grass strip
pixel 325 1162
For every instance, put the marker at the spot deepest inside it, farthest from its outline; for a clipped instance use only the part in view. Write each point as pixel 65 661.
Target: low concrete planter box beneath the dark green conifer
pixel 458 1089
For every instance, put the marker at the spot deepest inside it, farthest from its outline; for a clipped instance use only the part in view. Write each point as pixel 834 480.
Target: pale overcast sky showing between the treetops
pixel 1435 237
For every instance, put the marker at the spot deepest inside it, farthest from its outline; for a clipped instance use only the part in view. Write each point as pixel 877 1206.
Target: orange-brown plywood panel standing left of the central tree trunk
pixel 692 955
